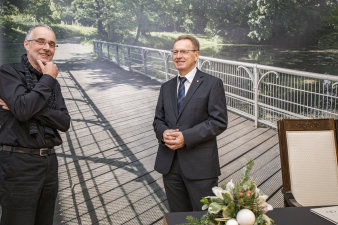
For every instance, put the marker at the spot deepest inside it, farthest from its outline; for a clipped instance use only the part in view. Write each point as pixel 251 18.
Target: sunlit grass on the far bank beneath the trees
pixel 14 29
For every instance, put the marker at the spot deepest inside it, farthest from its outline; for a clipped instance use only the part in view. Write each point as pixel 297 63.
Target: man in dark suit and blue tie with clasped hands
pixel 191 111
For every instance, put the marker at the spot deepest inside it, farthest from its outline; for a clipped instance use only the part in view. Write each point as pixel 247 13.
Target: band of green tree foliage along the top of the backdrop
pixel 233 21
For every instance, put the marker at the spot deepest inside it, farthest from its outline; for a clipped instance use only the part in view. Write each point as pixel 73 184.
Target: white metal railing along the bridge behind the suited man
pixel 265 94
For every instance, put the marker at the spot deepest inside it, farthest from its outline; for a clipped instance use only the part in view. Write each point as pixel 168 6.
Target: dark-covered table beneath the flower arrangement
pixel 281 216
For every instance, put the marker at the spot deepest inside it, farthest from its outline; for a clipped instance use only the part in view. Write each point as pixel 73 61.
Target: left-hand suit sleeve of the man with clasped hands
pixel 159 123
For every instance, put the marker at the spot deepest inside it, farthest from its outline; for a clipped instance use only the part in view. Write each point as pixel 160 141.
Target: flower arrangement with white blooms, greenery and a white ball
pixel 235 204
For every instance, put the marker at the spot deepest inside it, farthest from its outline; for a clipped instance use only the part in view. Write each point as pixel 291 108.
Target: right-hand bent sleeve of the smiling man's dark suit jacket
pixel 217 120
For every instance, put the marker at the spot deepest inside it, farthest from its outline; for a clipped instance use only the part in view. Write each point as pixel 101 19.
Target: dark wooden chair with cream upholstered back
pixel 309 161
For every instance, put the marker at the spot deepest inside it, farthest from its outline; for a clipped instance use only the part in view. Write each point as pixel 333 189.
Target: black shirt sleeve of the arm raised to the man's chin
pixel 23 104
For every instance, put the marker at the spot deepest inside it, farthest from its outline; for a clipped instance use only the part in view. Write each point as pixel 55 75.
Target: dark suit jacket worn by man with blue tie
pixel 203 116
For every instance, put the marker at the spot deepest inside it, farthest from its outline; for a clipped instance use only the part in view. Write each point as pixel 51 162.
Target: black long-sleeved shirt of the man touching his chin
pixel 25 106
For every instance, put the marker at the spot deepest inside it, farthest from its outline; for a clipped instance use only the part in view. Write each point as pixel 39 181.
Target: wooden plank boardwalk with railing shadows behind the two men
pixel 106 162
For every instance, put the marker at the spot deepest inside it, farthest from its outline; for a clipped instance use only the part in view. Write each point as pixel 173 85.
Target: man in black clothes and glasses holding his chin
pixel 32 110
